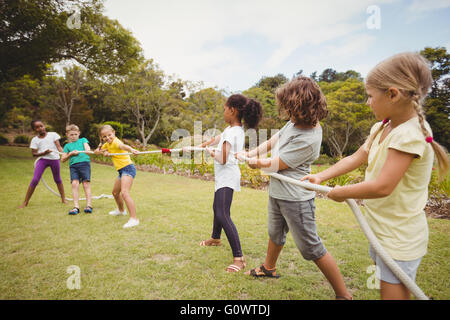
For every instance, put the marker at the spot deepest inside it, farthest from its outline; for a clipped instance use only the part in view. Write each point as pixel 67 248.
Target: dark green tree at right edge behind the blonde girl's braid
pixel 437 105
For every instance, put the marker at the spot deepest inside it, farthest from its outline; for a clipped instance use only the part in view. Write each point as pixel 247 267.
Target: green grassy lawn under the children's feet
pixel 161 258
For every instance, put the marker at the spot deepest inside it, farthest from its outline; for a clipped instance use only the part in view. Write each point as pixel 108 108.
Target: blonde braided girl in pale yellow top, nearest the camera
pixel 399 153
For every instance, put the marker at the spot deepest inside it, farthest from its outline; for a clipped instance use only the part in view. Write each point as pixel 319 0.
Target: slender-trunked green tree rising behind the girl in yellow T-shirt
pixel 141 95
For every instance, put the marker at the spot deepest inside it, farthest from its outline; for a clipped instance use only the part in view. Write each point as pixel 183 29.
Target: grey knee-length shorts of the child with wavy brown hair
pixel 298 217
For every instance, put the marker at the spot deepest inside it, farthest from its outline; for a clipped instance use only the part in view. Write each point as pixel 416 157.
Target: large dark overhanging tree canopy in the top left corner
pixel 34 34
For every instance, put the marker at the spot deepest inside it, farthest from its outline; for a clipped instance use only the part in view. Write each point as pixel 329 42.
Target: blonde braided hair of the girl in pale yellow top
pixel 410 73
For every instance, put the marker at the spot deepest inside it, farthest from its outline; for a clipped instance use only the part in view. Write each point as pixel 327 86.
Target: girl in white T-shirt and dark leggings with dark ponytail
pixel 227 173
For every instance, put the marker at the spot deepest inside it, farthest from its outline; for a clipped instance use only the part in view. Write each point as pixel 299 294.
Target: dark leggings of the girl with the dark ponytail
pixel 222 219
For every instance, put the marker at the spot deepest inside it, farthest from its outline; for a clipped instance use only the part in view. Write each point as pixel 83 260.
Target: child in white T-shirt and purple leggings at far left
pixel 45 146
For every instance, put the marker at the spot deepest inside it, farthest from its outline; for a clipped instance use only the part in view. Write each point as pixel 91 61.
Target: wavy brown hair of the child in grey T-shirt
pixel 302 99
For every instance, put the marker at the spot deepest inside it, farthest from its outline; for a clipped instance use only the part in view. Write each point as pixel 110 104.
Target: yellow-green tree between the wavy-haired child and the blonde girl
pixel 349 118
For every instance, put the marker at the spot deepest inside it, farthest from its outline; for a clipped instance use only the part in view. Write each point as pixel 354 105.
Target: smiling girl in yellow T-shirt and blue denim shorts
pixel 127 172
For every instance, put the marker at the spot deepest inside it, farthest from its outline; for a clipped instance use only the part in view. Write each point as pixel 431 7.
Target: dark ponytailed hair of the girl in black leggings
pixel 248 109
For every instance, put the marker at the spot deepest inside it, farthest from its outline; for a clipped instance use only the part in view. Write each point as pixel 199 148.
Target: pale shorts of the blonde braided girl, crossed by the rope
pixel 384 273
